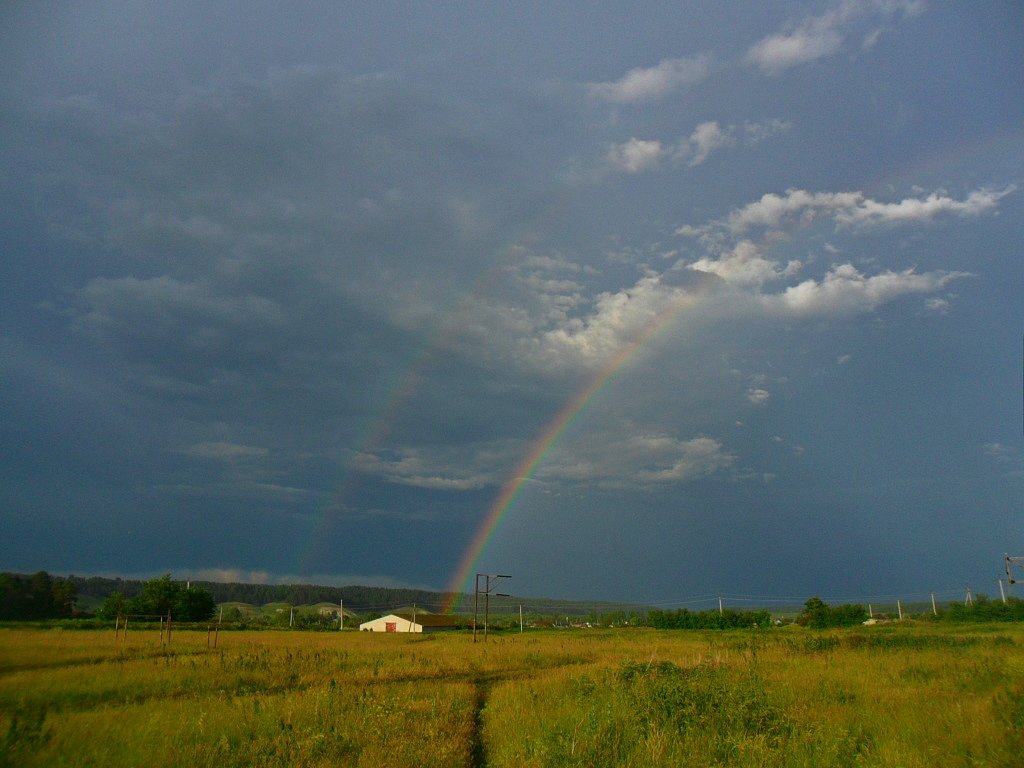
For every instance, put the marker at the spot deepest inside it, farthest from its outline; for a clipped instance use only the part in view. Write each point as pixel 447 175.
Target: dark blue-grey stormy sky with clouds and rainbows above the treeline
pixel 647 303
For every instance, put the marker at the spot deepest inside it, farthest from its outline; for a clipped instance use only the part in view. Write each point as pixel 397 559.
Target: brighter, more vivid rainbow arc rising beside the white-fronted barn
pixel 545 443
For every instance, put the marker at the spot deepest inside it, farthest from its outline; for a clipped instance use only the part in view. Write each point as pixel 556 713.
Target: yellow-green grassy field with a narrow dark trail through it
pixel 892 696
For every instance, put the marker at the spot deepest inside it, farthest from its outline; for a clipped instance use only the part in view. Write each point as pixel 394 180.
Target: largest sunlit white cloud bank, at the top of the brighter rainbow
pixel 554 326
